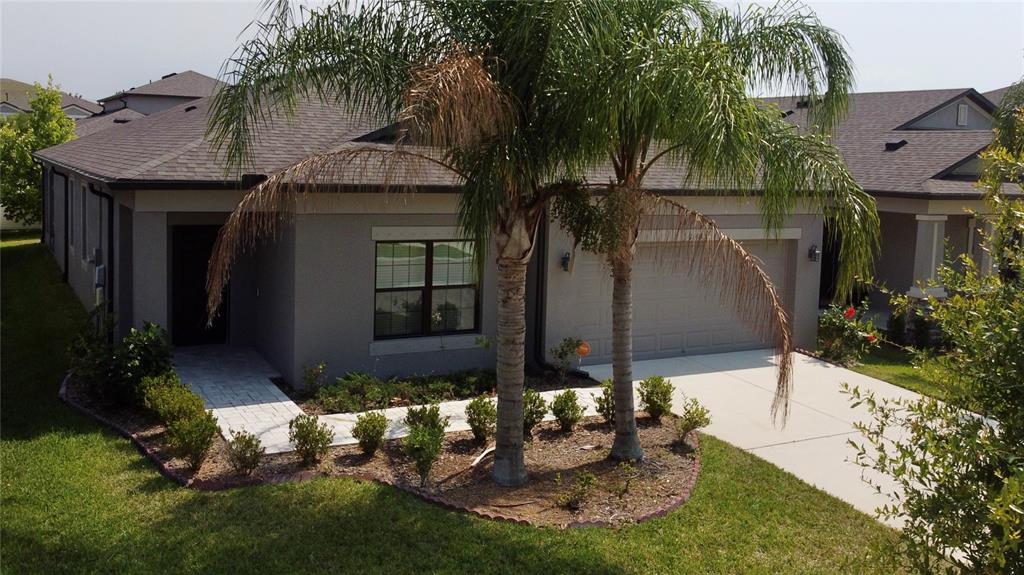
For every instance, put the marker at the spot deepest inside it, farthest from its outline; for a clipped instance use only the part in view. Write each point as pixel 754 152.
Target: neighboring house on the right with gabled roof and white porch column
pixel 917 153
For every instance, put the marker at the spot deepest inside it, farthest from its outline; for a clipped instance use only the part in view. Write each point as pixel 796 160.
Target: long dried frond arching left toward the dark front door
pixel 269 208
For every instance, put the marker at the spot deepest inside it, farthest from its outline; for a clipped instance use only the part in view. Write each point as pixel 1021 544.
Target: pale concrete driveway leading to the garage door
pixel 738 388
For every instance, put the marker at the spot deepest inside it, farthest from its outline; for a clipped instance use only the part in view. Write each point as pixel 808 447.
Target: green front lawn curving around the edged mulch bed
pixel 76 499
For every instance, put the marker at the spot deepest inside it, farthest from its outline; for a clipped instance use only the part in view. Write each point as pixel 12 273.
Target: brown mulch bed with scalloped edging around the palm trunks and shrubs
pixel 662 482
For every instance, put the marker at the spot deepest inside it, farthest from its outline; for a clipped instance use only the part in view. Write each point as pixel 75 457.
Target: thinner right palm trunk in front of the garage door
pixel 627 445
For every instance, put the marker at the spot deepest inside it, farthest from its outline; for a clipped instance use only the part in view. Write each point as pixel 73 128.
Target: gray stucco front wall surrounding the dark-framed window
pixel 334 303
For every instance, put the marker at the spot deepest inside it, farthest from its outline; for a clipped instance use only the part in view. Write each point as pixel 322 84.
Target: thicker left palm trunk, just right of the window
pixel 515 251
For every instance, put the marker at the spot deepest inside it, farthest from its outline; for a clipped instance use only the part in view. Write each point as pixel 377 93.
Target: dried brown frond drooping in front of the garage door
pixel 702 247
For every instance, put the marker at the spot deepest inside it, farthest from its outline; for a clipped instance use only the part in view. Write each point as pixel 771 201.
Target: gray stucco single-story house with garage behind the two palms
pixel 369 279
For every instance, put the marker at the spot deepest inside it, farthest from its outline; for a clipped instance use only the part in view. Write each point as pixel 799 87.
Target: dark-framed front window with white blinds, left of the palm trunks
pixel 425 289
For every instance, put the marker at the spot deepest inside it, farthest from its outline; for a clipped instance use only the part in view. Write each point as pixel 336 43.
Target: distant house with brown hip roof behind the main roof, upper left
pixel 170 91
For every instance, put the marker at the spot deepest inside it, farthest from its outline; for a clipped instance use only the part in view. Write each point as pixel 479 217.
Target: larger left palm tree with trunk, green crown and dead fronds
pixel 463 82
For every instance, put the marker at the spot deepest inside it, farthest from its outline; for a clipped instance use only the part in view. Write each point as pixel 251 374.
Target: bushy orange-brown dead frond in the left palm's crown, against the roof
pixel 454 104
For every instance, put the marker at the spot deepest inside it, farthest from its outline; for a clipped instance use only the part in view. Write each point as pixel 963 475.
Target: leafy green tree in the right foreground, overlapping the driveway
pixel 959 464
